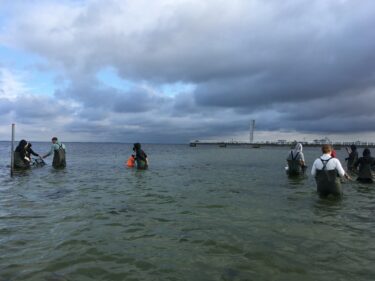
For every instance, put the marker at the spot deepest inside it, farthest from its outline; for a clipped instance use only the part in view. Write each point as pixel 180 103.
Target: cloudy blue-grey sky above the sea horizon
pixel 171 71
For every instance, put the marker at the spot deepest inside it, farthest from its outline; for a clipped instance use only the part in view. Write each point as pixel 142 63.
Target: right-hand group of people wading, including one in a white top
pixel 328 170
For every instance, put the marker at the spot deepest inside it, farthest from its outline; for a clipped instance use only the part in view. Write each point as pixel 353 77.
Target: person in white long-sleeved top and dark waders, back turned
pixel 327 171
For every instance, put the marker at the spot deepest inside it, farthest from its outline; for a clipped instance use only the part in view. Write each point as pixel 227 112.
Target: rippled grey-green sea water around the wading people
pixel 203 213
